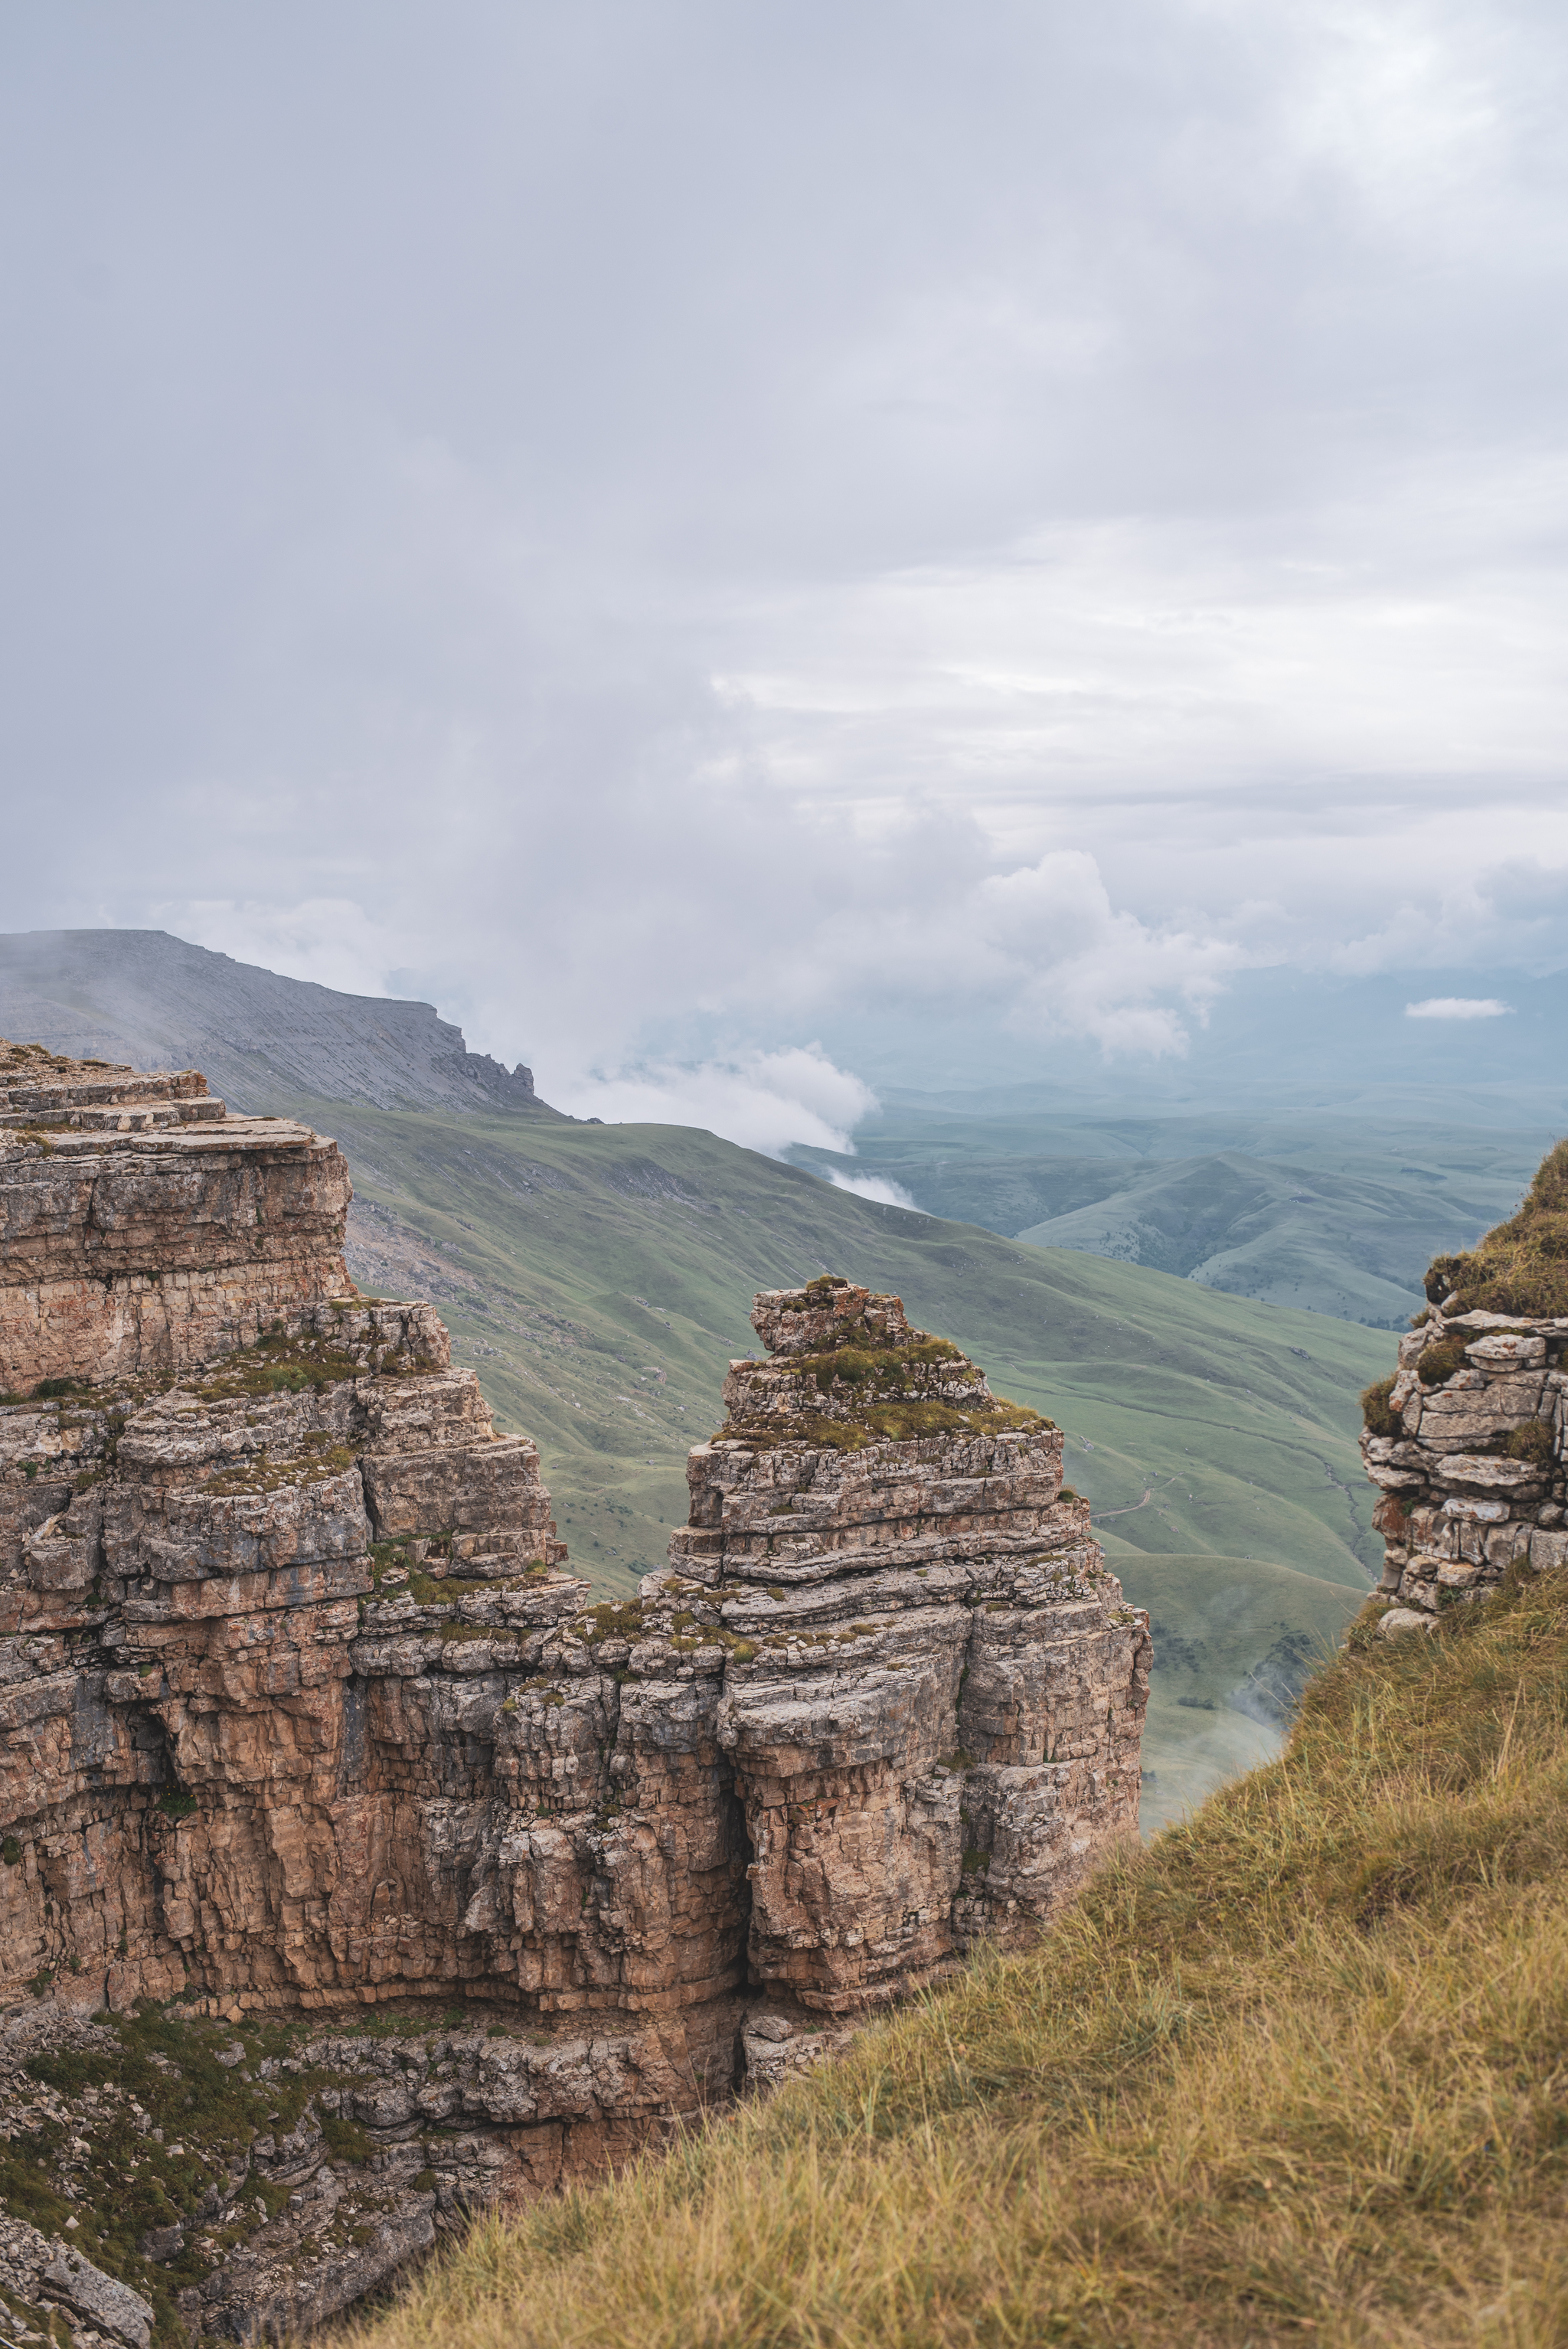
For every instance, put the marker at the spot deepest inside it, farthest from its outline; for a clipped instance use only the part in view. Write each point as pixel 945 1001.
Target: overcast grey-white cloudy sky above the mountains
pixel 726 541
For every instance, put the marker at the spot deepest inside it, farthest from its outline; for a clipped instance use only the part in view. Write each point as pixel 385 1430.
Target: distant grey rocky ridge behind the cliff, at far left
pixel 158 1002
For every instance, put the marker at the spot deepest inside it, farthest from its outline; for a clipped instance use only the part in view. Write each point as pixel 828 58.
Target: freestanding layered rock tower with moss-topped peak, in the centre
pixel 933 1692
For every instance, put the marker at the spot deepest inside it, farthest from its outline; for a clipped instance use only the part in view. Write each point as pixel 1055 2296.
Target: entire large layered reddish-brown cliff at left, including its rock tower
pixel 468 1880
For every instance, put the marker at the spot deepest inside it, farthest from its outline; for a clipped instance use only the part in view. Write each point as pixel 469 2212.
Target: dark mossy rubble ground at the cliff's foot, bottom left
pixel 175 2174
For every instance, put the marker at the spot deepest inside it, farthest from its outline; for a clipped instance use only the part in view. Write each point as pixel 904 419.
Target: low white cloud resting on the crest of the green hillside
pixel 762 1101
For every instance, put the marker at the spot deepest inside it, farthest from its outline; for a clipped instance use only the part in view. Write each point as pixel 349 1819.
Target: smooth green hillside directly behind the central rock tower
pixel 600 1279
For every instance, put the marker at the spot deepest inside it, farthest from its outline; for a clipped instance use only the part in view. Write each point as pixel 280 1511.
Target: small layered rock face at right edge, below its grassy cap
pixel 1471 1458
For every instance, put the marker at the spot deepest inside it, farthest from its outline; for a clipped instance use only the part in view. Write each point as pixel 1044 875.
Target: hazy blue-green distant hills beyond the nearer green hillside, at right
pixel 1332 1216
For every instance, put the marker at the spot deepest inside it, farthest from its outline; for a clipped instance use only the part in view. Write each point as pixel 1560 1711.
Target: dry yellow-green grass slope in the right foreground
pixel 1299 2073
